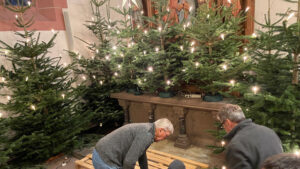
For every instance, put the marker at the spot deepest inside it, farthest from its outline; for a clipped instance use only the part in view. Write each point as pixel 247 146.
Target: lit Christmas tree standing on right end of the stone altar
pixel 216 55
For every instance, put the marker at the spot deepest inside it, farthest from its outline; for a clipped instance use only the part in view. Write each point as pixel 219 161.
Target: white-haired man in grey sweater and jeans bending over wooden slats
pixel 122 148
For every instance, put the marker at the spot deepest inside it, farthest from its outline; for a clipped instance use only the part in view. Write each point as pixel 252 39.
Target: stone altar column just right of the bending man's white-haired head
pixel 182 140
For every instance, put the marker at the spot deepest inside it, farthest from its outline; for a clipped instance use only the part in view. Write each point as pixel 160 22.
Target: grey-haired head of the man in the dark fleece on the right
pixel 230 115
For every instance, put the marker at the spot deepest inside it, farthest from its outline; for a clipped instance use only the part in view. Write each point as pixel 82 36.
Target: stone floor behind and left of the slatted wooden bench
pixel 203 155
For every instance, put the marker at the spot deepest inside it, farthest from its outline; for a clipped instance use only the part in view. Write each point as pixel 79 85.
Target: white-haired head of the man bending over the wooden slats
pixel 163 128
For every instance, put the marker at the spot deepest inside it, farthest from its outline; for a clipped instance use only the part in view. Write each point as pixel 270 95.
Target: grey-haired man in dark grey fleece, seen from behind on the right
pixel 249 144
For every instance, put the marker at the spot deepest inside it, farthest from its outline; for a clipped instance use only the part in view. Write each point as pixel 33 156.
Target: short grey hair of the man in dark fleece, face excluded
pixel 231 112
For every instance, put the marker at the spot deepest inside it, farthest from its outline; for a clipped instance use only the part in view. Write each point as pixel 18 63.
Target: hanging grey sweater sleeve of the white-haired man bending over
pixel 136 152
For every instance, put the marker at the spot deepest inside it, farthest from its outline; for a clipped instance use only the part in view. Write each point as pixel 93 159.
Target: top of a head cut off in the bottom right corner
pixel 282 161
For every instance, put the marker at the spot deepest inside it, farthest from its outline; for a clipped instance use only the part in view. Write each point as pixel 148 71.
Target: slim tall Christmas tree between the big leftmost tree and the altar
pixel 97 73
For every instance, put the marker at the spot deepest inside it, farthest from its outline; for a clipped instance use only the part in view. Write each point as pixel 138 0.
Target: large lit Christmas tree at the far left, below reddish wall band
pixel 42 104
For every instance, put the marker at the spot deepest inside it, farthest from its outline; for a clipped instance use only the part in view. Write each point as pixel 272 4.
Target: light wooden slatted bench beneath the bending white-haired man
pixel 156 160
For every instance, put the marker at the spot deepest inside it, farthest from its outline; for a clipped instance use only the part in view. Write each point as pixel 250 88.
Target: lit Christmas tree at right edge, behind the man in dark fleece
pixel 274 99
